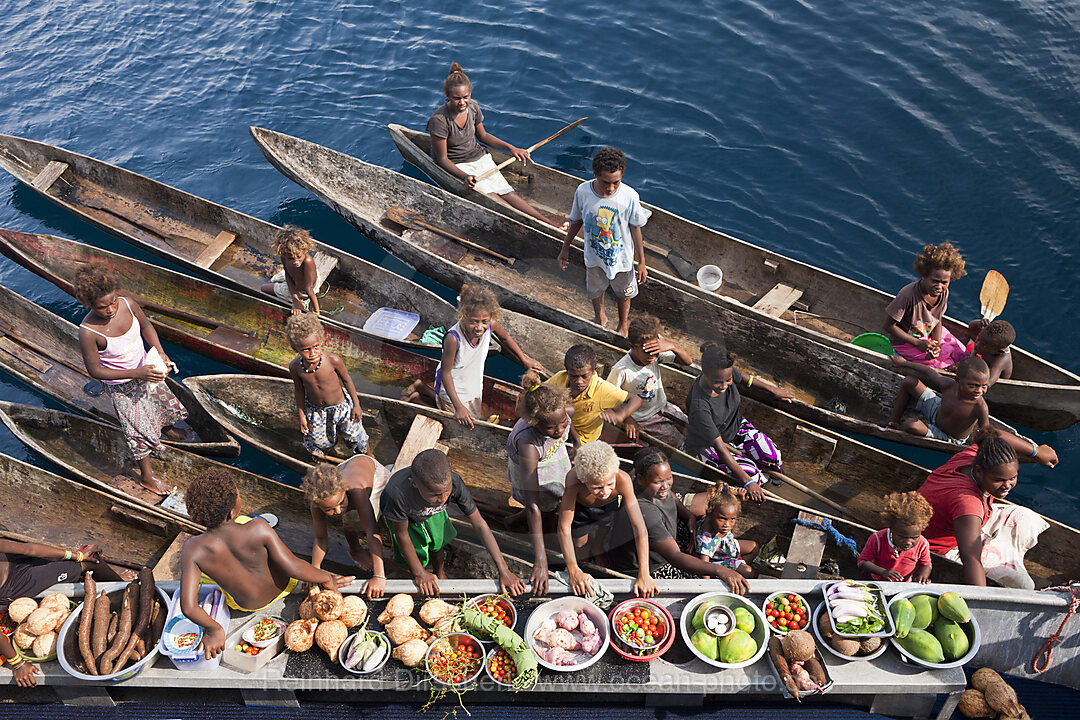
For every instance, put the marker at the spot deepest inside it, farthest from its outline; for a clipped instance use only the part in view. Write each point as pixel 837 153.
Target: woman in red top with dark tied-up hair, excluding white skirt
pixel 963 493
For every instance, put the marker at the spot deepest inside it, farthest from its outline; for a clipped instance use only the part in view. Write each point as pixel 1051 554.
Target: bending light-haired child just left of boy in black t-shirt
pixel 355 486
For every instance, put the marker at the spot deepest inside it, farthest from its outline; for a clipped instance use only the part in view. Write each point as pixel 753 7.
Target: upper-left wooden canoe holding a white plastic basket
pixel 227 247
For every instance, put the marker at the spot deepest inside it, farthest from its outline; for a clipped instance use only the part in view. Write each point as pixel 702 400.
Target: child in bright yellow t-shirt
pixel 595 399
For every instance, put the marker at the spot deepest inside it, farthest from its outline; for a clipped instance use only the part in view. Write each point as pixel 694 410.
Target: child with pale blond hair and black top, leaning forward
pixel 595 490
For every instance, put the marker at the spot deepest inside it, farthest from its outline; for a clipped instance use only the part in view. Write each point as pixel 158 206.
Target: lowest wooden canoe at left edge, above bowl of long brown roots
pixel 38 507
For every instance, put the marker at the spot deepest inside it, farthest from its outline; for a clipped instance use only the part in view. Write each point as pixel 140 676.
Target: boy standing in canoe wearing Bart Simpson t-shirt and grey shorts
pixel 612 216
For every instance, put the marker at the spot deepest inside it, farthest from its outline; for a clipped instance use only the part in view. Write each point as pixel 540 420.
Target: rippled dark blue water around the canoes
pixel 844 134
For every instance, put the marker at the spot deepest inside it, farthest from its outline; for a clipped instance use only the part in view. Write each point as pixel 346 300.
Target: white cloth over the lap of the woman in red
pixel 1009 534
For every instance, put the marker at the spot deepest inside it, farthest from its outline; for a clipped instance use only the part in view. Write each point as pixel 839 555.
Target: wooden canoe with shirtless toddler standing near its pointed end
pixel 251 407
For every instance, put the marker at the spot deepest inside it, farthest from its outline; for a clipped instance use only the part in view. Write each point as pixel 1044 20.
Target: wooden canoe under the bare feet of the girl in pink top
pixel 98 454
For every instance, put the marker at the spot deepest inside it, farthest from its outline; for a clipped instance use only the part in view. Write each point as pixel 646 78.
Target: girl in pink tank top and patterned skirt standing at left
pixel 112 338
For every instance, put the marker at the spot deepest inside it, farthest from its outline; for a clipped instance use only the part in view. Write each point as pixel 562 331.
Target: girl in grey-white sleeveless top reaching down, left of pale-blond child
pixel 537 464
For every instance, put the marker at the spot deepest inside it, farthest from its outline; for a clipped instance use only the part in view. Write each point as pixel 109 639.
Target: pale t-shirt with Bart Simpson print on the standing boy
pixel 607 224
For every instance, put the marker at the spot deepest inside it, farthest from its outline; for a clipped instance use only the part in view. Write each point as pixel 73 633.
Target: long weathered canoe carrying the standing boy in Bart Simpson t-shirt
pixel 831 387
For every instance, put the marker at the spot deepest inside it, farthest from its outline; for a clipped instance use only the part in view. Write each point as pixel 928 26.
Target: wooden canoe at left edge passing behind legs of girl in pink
pixel 42 349
